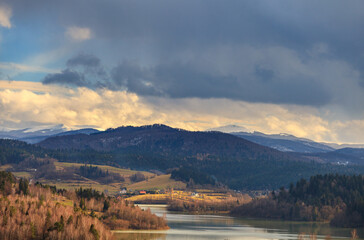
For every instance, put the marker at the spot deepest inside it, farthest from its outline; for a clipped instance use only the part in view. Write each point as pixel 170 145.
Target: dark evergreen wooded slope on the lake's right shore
pixel 335 198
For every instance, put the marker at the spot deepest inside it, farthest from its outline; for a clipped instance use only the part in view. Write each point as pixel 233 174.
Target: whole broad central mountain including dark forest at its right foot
pixel 231 160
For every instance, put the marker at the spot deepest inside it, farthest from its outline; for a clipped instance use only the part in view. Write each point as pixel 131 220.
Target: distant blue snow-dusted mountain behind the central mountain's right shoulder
pixel 285 142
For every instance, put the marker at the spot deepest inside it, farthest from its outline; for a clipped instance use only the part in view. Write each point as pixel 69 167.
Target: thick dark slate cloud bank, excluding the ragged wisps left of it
pixel 182 81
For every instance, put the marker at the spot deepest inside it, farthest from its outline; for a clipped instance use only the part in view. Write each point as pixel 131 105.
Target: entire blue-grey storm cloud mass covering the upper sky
pixel 176 48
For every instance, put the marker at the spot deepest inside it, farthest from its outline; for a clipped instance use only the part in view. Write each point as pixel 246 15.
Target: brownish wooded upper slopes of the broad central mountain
pixel 164 140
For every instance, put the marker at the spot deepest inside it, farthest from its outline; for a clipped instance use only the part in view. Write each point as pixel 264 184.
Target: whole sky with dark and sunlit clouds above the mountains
pixel 282 66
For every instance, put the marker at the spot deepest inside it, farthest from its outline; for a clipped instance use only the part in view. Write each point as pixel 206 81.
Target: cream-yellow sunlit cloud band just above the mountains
pixel 24 102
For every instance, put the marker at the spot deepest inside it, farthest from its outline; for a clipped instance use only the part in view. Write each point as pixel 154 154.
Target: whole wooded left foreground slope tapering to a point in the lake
pixel 41 212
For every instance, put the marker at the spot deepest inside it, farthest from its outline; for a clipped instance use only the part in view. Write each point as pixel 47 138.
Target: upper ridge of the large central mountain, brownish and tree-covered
pixel 156 137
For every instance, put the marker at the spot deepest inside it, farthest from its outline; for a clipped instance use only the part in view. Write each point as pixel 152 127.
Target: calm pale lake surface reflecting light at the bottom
pixel 211 227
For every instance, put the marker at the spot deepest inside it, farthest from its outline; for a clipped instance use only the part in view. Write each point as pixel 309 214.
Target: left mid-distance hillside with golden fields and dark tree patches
pixel 32 162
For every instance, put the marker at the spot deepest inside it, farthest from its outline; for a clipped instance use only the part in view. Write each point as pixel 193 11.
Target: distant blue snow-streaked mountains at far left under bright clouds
pixel 38 134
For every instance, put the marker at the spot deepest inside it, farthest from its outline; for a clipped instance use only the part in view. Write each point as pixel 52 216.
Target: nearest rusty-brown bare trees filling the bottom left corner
pixel 39 217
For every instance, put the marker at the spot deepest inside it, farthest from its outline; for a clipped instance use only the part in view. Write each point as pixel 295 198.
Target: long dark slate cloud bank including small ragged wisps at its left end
pixel 180 80
